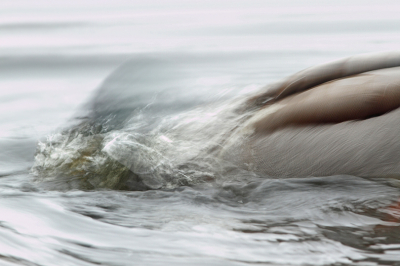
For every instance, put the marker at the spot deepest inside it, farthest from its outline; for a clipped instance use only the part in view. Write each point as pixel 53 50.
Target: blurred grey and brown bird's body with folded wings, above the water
pixel 346 125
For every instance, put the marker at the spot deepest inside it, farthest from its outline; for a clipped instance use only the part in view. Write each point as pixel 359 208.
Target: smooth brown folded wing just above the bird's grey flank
pixel 353 98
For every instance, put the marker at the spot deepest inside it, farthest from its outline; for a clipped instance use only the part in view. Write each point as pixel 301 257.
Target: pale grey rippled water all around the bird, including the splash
pixel 90 90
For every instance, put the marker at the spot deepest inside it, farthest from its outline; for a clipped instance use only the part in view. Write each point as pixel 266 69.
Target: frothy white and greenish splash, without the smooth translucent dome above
pixel 182 150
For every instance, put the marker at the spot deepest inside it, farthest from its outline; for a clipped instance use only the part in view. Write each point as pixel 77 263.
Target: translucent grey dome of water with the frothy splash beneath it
pixel 143 129
